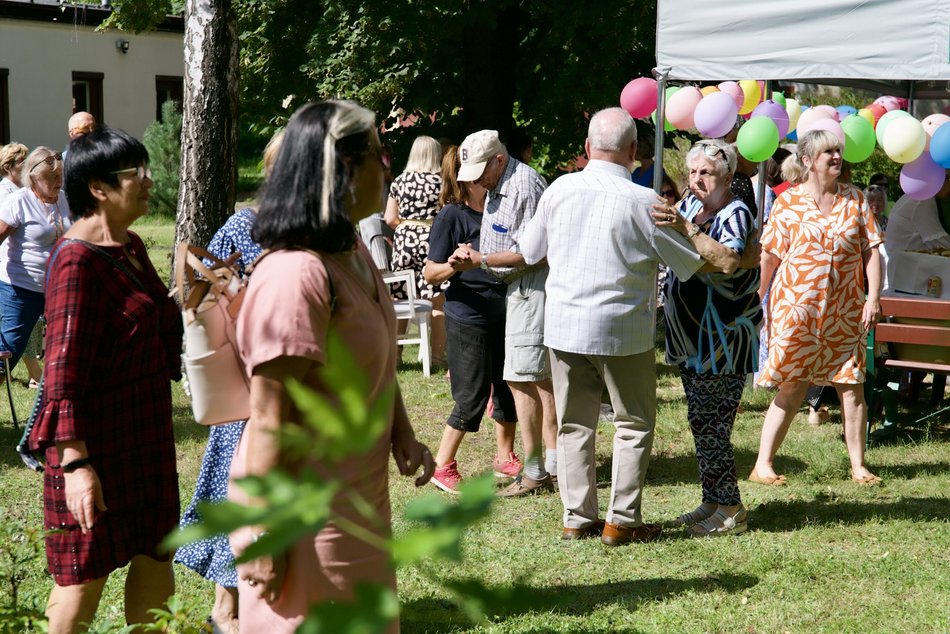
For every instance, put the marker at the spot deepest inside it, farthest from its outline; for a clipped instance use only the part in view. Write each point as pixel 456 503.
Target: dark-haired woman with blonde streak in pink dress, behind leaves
pixel 319 282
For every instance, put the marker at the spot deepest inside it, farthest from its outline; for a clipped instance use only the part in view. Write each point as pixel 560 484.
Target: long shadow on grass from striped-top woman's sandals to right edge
pixel 825 510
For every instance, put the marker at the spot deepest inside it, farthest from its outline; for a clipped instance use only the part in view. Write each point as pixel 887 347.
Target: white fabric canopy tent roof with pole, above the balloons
pixel 890 46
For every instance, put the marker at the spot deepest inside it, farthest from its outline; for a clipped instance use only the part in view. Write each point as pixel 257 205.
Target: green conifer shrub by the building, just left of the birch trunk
pixel 162 139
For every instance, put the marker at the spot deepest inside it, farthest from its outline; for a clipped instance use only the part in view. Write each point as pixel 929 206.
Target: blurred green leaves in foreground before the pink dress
pixel 300 503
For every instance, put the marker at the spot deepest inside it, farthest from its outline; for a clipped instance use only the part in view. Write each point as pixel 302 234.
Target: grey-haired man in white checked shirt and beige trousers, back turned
pixel 603 247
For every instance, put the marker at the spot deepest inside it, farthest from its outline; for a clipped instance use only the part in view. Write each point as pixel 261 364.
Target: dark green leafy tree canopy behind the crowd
pixel 457 65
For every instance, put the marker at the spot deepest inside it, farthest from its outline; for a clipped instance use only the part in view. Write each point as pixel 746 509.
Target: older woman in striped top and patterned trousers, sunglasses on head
pixel 712 321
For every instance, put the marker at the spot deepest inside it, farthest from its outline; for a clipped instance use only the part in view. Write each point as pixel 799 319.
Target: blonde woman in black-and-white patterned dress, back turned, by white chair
pixel 412 206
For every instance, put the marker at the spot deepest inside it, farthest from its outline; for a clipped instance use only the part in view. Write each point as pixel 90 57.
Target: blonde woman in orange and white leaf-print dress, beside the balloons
pixel 821 245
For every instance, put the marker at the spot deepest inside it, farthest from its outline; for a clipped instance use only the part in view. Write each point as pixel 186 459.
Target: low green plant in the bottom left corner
pixel 21 550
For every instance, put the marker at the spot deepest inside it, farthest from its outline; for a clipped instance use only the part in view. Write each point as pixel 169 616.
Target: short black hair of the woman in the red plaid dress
pixel 94 156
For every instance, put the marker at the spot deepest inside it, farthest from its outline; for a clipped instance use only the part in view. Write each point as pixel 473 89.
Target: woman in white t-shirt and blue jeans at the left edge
pixel 31 220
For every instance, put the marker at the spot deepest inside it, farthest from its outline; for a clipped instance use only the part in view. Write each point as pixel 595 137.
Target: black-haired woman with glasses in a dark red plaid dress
pixel 105 424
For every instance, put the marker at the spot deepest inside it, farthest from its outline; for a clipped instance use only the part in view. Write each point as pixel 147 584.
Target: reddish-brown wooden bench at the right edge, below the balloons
pixel 917 333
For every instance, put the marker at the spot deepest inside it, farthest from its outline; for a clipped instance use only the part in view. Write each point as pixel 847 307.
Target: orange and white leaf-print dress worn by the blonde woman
pixel 817 293
